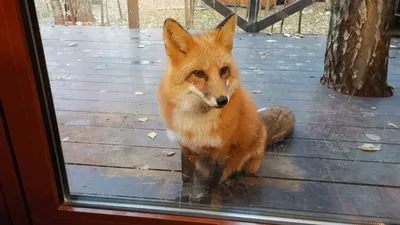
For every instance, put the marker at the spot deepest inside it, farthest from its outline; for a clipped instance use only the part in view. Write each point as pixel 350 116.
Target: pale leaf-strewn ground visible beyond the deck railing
pixel 152 14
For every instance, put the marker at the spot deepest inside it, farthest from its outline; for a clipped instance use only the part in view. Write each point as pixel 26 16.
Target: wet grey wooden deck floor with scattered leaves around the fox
pixel 318 172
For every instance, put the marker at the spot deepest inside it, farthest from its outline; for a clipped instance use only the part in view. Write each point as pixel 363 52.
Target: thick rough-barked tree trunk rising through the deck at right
pixel 357 49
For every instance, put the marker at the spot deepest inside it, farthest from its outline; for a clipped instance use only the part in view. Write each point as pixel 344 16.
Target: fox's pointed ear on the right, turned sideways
pixel 226 31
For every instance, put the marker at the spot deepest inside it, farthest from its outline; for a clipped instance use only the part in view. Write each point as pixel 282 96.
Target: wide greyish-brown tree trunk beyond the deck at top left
pixel 80 11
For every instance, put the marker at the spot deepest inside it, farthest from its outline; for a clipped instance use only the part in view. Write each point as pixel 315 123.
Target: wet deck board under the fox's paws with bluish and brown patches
pixel 301 196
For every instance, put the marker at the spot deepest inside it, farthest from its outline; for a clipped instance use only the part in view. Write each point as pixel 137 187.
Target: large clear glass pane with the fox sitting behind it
pixel 179 133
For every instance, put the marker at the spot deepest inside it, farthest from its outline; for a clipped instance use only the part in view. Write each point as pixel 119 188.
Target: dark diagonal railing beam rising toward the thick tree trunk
pixel 282 14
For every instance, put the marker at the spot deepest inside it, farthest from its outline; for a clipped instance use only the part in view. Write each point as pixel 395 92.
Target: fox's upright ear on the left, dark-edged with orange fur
pixel 177 40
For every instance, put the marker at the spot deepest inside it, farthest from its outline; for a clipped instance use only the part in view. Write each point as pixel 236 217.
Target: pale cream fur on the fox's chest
pixel 199 124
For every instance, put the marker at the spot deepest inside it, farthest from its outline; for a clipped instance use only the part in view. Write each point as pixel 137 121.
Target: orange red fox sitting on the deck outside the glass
pixel 205 107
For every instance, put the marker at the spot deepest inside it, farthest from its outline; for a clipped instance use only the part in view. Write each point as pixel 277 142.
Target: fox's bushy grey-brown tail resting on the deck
pixel 279 122
